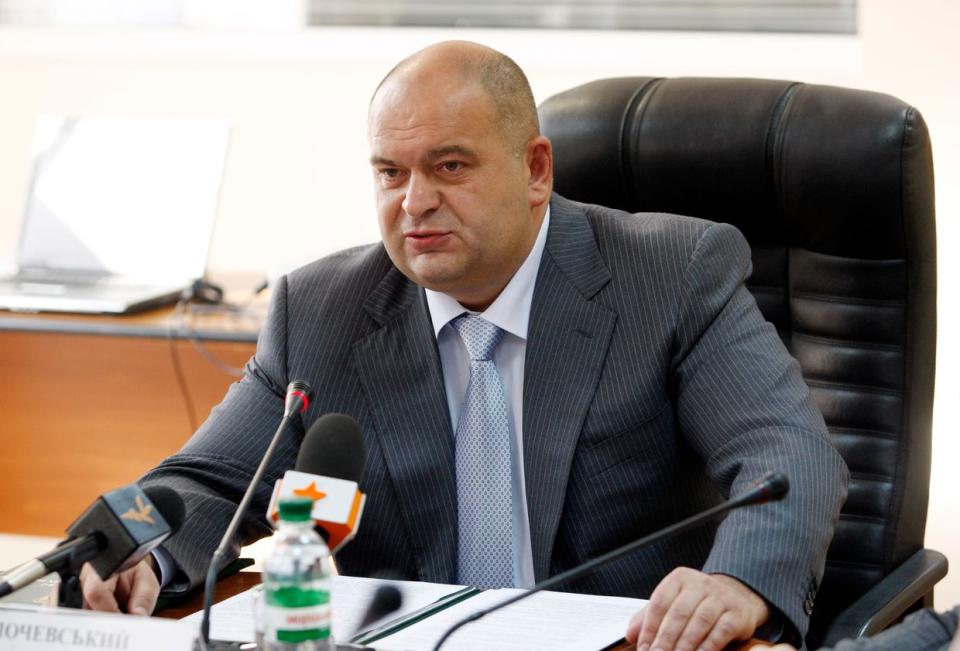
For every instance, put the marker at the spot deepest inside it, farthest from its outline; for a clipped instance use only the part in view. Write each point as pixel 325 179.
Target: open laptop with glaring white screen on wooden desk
pixel 119 214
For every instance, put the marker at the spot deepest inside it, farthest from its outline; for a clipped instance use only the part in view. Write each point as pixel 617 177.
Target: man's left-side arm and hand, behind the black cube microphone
pixel 212 470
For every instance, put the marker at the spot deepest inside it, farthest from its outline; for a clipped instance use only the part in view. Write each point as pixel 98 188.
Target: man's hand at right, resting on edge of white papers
pixel 693 610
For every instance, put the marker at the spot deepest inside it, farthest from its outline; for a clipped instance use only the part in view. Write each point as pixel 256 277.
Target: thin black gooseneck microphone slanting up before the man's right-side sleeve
pixel 773 487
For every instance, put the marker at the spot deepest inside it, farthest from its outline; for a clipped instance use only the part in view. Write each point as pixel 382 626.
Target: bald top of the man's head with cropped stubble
pixel 464 64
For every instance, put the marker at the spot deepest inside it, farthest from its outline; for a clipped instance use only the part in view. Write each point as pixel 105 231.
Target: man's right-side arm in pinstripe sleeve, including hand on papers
pixel 743 406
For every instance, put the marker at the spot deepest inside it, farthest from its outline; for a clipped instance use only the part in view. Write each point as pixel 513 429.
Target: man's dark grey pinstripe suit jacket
pixel 652 387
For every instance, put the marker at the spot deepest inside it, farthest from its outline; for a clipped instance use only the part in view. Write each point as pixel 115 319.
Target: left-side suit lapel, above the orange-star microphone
pixel 399 369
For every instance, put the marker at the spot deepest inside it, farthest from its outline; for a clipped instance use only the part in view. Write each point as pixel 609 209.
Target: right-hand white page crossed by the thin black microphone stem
pixel 547 620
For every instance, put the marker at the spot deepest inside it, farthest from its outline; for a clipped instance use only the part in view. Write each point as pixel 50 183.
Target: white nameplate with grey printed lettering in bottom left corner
pixel 40 629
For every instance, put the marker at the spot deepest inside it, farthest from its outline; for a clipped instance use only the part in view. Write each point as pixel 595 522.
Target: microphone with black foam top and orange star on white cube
pixel 329 468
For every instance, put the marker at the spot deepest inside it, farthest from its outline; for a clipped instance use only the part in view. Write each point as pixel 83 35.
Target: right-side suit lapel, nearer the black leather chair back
pixel 568 339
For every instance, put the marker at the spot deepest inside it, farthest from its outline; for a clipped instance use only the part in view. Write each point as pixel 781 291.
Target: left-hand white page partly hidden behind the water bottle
pixel 233 619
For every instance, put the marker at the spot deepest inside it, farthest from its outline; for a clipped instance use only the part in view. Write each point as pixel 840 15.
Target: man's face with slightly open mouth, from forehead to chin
pixel 452 194
